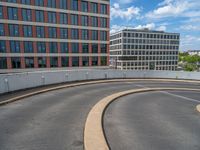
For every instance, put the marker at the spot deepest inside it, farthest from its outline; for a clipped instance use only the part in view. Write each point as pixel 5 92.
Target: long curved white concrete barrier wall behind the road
pixel 17 81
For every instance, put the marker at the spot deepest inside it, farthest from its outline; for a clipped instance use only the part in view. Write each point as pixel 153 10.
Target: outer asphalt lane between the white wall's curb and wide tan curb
pixel 55 120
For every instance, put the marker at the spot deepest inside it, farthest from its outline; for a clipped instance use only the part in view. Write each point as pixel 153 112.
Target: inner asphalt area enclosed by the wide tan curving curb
pixel 154 121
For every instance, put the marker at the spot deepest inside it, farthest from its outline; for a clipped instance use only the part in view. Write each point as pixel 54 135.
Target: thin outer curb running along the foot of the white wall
pixel 89 82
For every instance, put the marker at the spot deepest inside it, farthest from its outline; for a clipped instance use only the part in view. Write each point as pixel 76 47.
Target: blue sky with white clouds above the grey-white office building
pixel 179 16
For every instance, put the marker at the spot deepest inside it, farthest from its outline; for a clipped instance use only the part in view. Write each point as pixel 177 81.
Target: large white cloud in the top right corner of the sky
pixel 175 8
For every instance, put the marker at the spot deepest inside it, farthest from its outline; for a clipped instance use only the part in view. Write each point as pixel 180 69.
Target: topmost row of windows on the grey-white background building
pixel 145 35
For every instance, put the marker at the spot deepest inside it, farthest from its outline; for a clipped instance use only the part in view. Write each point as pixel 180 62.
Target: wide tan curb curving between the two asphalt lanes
pixel 94 138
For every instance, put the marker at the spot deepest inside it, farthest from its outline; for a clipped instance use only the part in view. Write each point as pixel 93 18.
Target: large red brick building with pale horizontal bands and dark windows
pixel 54 33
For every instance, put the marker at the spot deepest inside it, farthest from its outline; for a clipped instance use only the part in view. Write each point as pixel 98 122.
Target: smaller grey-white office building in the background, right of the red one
pixel 144 50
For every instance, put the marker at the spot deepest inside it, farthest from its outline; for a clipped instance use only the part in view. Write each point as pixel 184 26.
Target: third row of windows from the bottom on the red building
pixel 53 32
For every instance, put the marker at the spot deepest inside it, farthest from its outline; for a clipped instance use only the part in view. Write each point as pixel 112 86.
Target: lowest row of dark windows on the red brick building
pixel 42 62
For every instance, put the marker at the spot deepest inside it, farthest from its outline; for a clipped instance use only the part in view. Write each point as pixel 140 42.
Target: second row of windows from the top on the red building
pixel 53 18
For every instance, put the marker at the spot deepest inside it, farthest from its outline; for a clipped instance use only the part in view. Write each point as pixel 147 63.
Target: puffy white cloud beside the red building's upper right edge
pixel 127 13
